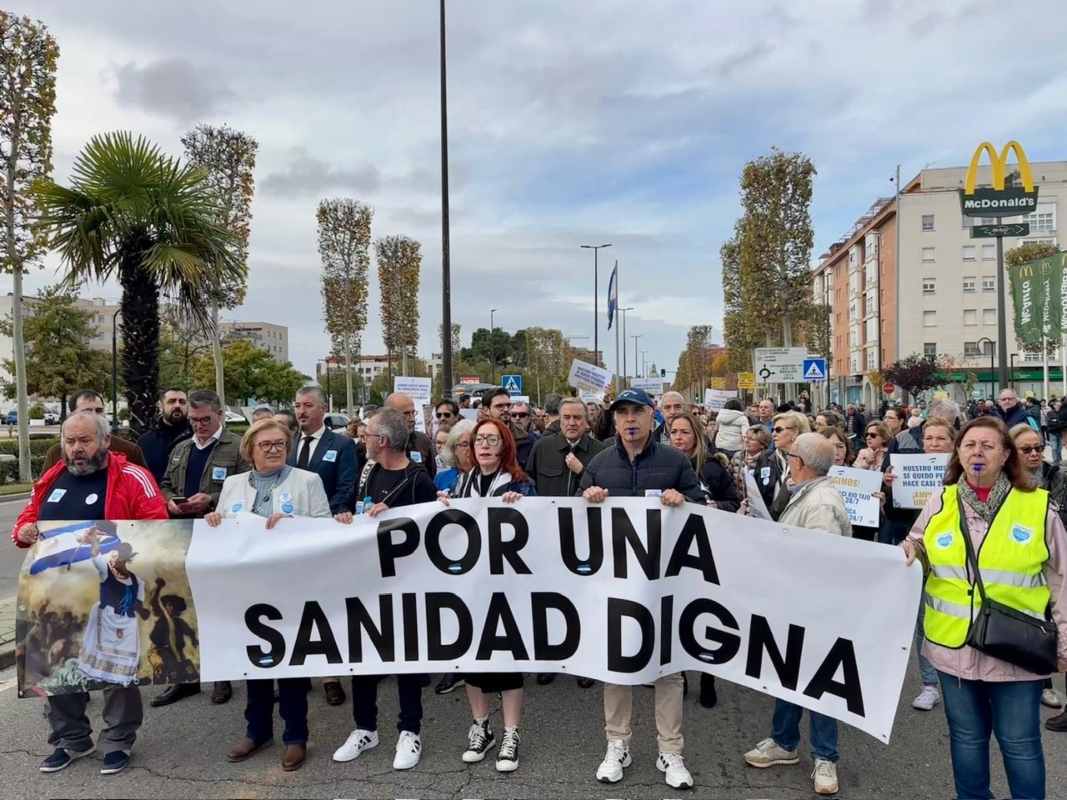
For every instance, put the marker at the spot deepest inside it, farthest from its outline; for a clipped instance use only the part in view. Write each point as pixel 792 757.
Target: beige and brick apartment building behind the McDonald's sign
pixel 945 299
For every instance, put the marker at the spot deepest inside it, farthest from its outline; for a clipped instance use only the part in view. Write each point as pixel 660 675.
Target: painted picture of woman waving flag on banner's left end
pixel 106 603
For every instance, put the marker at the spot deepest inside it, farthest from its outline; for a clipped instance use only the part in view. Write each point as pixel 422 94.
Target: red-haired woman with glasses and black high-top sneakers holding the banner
pixel 496 474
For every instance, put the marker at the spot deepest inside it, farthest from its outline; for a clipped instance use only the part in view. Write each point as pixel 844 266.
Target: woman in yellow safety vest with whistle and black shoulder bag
pixel 1022 548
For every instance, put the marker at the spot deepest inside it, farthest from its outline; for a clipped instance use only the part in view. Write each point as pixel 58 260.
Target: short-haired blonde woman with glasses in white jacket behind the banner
pixel 276 491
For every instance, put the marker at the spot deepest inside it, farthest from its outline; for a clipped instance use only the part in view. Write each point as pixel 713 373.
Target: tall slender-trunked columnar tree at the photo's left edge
pixel 28 56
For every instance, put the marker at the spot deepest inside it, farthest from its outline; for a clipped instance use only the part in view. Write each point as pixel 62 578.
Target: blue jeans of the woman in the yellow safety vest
pixel 1012 711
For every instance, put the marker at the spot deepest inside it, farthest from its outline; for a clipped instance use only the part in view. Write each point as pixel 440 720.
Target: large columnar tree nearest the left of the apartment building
pixel 767 264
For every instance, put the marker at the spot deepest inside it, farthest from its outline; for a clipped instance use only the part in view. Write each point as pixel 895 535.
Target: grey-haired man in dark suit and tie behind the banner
pixel 332 457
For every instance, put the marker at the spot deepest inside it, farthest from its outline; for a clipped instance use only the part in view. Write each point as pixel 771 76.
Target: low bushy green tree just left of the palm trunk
pixel 59 360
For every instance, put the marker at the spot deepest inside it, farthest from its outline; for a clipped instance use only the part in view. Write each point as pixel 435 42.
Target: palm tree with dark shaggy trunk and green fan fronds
pixel 134 213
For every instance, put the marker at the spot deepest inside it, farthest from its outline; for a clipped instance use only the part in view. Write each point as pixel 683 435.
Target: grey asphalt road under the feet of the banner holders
pixel 181 754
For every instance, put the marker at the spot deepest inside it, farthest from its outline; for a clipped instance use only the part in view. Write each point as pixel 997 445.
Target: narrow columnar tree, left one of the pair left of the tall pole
pixel 345 250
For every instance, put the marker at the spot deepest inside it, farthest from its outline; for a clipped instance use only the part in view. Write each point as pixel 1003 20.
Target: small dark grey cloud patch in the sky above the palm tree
pixel 172 88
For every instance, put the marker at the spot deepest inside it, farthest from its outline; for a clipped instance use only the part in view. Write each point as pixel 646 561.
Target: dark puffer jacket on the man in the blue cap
pixel 657 469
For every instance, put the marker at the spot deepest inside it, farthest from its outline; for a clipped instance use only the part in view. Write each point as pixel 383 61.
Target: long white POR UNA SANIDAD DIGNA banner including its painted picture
pixel 623 593
